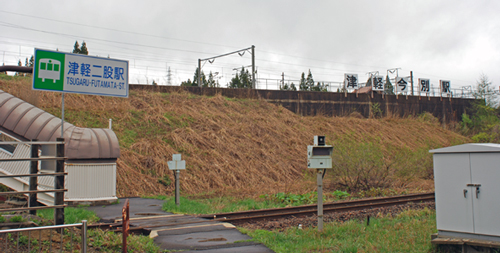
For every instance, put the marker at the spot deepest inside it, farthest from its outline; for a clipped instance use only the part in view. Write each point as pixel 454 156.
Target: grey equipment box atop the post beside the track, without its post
pixel 319 156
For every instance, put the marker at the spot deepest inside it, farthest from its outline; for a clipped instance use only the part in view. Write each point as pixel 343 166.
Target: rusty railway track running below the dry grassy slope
pixel 308 210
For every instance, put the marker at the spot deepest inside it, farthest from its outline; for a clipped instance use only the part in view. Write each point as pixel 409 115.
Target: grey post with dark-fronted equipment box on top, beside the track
pixel 319 157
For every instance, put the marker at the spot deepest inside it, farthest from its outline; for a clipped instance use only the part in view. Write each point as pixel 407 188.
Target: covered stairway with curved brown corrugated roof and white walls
pixel 91 152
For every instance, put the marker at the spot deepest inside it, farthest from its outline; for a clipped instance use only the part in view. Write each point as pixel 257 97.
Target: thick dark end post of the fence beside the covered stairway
pixel 59 184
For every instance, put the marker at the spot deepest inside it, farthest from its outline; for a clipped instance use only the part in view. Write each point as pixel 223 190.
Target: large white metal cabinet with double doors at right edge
pixel 467 186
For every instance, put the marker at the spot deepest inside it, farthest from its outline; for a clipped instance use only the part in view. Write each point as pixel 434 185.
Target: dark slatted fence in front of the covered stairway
pixel 33 181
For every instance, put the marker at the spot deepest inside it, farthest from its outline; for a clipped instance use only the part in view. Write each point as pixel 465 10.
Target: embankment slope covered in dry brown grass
pixel 237 147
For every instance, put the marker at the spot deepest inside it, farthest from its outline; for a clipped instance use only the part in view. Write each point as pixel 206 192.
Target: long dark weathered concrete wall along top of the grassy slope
pixel 310 103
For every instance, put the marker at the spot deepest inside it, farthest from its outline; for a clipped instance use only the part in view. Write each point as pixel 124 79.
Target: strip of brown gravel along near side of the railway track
pixel 283 223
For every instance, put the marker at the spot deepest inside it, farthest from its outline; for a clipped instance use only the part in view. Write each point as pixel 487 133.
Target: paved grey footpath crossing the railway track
pixel 178 231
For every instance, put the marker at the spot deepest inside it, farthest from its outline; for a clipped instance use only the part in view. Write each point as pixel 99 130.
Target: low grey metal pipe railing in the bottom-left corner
pixel 25 243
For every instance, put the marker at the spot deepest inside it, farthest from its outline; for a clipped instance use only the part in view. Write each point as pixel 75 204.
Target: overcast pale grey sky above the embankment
pixel 436 39
